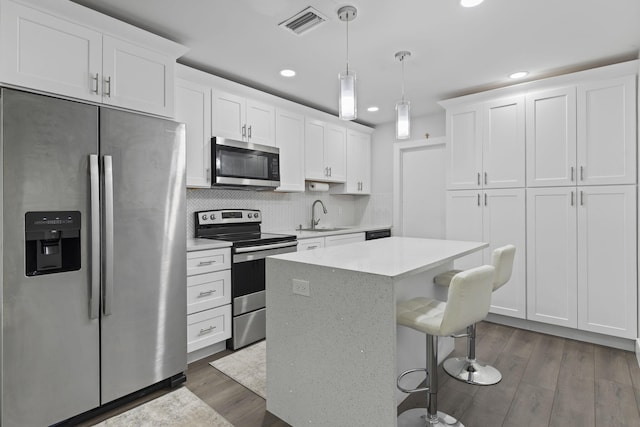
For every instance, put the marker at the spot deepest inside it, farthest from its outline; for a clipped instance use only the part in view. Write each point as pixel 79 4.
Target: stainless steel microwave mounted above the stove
pixel 244 165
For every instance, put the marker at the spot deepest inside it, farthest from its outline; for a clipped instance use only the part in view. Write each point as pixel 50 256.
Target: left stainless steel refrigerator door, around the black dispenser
pixel 50 343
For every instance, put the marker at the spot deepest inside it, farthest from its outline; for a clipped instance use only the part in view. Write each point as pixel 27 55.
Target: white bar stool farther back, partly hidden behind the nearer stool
pixel 468 369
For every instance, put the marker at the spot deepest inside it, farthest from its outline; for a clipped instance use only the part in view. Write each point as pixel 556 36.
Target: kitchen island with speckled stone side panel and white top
pixel 333 348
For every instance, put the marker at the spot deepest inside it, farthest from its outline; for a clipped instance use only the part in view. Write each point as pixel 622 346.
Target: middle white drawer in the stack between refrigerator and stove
pixel 210 290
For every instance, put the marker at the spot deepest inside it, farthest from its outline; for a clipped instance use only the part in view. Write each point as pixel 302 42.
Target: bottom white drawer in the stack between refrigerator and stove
pixel 208 327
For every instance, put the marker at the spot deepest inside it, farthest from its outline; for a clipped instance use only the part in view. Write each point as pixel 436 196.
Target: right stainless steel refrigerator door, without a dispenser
pixel 144 251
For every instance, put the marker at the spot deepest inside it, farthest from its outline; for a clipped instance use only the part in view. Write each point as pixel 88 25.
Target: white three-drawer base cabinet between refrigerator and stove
pixel 208 297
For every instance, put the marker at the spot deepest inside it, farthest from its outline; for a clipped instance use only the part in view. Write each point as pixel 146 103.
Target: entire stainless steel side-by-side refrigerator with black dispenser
pixel 93 256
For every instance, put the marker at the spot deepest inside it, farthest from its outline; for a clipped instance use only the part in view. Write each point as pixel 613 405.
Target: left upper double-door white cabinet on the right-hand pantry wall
pixel 486 144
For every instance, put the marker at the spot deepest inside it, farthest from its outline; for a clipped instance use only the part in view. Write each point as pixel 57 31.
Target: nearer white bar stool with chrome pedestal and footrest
pixel 468 302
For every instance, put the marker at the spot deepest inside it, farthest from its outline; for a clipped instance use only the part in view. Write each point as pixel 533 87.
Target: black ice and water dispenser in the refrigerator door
pixel 52 242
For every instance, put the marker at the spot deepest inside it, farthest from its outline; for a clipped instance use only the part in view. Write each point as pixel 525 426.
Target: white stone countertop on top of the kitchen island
pixel 391 257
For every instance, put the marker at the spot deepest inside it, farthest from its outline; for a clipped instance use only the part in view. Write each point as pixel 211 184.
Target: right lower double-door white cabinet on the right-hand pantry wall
pixel 582 258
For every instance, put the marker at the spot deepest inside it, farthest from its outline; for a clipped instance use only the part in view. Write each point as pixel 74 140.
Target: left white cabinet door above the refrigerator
pixel 45 53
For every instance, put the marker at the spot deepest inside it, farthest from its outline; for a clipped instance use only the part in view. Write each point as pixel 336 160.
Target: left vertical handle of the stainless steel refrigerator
pixel 94 298
